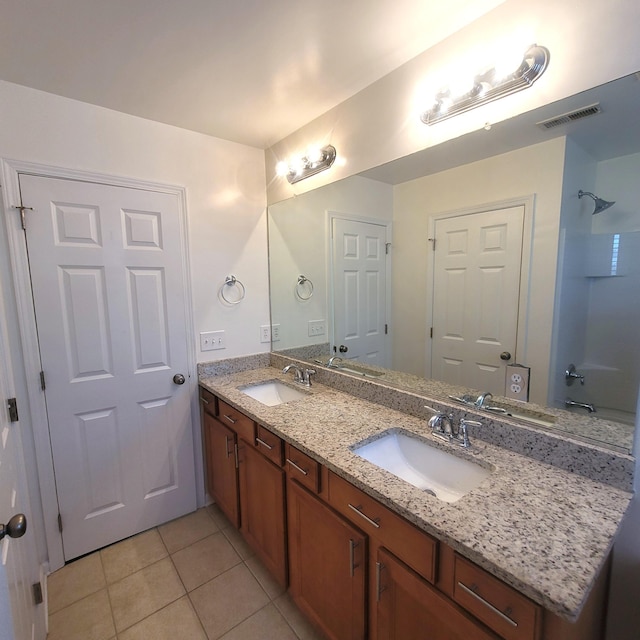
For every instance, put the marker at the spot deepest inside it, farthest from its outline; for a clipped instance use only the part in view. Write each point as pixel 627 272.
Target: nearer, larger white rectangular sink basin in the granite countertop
pixel 442 474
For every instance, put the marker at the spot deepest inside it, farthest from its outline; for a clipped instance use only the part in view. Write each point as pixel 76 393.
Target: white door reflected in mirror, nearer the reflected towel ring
pixel 359 281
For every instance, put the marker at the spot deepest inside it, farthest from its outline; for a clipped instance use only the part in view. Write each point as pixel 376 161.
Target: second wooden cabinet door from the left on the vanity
pixel 262 509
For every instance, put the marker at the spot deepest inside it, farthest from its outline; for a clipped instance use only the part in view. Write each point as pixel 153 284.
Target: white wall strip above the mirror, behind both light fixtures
pixel 381 123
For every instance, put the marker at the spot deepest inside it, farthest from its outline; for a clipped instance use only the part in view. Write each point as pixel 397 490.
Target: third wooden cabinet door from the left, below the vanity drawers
pixel 327 566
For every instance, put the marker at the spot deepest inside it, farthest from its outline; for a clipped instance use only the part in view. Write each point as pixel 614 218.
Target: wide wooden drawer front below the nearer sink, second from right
pixel 413 546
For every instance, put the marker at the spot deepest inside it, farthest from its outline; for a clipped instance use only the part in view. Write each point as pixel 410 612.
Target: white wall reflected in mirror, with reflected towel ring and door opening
pixel 299 244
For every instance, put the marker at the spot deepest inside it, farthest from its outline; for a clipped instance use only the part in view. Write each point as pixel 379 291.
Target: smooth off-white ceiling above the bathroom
pixel 250 71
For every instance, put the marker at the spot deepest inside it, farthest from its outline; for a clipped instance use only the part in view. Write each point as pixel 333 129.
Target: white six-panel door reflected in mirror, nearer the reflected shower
pixel 475 297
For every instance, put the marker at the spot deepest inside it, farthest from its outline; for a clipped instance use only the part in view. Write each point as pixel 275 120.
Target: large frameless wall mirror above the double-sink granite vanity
pixel 568 292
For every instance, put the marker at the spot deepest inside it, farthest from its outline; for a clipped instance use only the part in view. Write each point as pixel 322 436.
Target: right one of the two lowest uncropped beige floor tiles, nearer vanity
pixel 227 600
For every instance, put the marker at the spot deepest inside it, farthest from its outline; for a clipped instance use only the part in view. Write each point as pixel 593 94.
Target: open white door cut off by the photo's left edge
pixel 20 618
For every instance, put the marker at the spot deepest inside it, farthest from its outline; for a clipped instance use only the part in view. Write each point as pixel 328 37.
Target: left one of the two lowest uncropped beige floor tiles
pixel 144 592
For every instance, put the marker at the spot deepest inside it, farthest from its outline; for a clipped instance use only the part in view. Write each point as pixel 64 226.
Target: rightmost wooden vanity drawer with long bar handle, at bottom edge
pixel 500 607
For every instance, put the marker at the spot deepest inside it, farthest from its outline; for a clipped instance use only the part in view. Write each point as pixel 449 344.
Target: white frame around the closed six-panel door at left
pixel 26 313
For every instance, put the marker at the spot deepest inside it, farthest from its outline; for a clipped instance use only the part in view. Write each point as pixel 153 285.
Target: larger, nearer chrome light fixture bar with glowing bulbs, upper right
pixel 489 86
